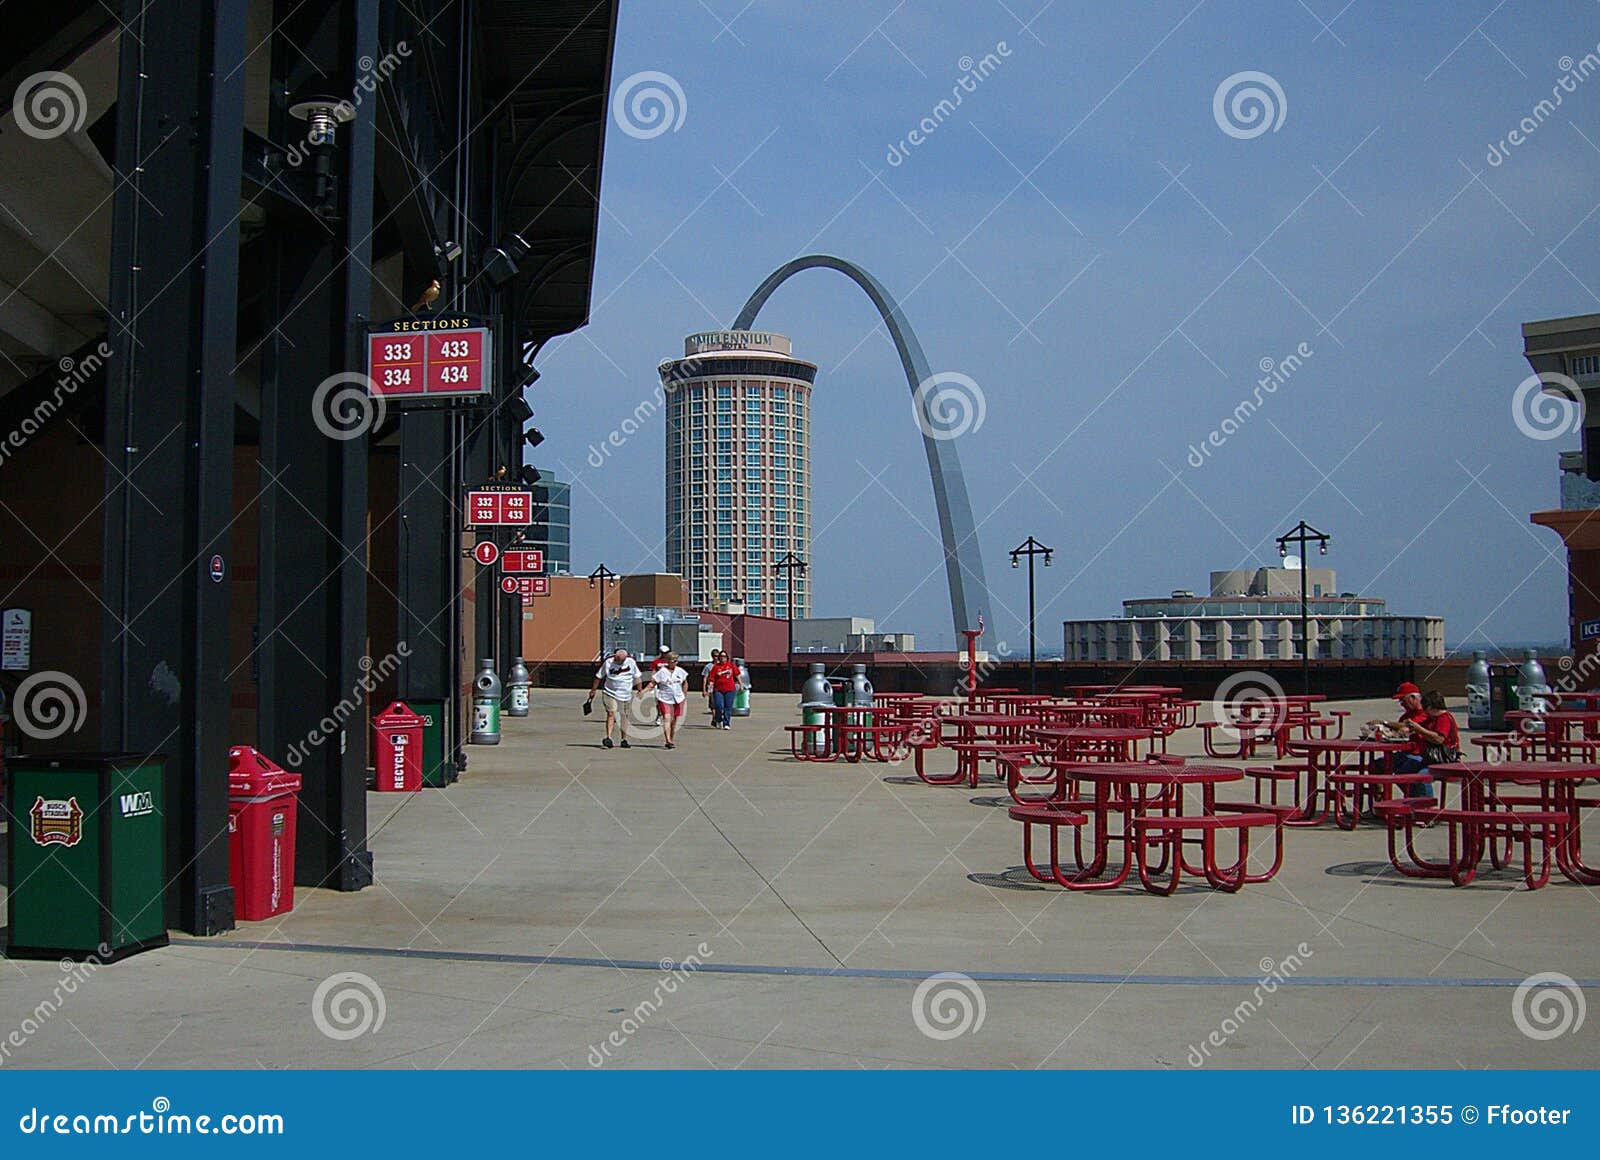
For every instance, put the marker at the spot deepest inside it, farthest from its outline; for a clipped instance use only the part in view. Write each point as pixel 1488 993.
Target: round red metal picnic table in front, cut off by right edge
pixel 1490 822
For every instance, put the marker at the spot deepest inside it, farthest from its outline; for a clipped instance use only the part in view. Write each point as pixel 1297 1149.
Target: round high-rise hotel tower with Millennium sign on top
pixel 740 471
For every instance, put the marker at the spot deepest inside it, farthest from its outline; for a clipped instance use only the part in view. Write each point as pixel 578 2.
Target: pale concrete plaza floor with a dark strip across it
pixel 529 914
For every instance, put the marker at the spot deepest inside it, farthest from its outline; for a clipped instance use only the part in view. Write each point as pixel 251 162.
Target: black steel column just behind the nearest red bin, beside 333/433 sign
pixel 314 484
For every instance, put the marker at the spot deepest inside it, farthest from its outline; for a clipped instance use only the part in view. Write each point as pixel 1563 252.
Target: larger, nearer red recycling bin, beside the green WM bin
pixel 263 801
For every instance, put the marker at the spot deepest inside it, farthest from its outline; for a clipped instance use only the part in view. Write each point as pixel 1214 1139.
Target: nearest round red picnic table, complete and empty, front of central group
pixel 1148 802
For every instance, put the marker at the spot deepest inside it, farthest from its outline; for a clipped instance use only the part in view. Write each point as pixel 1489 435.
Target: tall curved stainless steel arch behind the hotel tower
pixel 964 564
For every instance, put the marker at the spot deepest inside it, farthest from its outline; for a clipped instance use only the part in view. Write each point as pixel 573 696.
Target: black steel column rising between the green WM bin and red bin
pixel 170 425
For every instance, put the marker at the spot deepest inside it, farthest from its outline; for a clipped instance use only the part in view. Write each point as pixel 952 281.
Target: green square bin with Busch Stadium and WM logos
pixel 87 854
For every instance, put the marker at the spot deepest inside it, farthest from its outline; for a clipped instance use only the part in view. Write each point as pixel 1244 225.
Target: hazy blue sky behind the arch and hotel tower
pixel 1111 268
